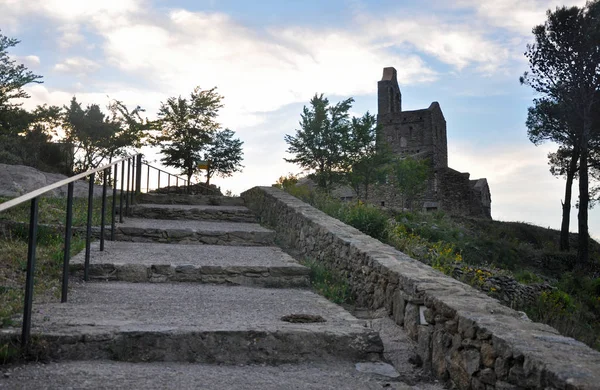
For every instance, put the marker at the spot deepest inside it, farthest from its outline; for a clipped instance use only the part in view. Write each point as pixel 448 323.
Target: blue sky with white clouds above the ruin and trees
pixel 268 58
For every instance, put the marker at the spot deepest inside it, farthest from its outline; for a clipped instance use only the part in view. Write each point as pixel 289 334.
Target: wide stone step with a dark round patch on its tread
pixel 183 322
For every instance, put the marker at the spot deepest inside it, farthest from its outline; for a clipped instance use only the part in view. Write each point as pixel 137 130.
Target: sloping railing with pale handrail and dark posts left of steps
pixel 128 189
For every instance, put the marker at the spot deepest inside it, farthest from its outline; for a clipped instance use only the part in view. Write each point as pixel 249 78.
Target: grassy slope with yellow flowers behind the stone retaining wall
pixel 482 249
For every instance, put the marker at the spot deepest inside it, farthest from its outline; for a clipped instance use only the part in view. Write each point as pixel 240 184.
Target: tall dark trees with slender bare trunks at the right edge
pixel 564 62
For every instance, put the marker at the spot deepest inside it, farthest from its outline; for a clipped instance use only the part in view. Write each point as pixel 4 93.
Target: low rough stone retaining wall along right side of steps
pixel 462 334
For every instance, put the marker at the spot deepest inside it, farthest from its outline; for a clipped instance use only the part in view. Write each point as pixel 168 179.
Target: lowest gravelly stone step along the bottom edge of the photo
pixel 172 375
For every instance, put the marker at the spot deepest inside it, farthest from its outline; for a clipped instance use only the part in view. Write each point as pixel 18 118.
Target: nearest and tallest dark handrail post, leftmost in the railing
pixel 31 247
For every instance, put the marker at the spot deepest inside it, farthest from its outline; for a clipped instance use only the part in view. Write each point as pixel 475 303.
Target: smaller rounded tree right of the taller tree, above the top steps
pixel 224 155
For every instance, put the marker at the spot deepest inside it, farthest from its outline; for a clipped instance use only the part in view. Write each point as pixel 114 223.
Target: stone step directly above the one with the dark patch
pixel 156 263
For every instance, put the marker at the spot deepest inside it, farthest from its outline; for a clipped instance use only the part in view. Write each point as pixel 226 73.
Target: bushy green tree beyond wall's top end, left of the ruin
pixel 321 143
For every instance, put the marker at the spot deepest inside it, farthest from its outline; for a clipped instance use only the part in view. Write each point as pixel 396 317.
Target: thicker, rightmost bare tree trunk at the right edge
pixel 584 196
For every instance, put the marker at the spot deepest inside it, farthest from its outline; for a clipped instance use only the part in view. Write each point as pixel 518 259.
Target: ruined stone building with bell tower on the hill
pixel 422 134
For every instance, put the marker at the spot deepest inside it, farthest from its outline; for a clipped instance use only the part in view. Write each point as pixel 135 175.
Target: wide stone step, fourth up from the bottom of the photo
pixel 194 232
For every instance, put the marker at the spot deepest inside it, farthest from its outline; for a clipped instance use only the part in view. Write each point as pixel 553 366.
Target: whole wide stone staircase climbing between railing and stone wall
pixel 194 294
